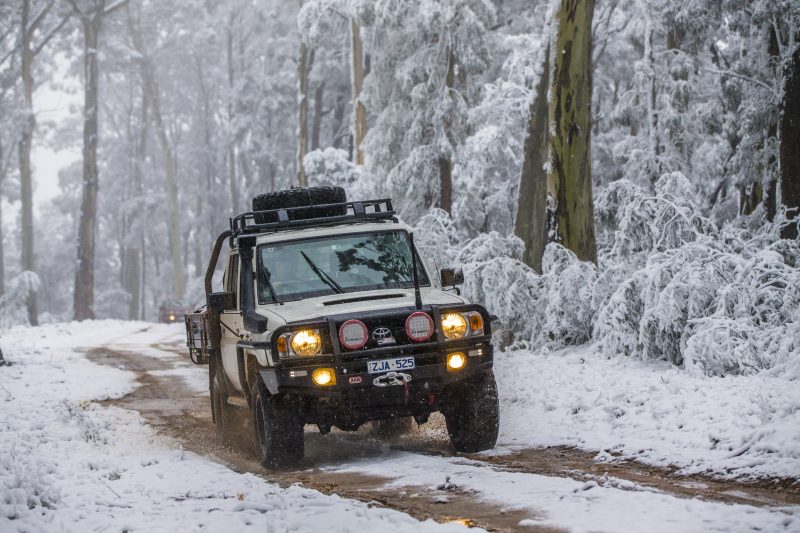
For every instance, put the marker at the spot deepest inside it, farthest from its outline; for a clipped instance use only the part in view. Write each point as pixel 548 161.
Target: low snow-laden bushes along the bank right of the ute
pixel 671 285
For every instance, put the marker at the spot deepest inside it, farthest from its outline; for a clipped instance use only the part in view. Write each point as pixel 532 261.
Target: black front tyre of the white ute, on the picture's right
pixel 472 414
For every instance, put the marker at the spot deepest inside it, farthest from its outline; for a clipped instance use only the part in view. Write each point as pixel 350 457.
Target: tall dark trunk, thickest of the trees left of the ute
pixel 84 273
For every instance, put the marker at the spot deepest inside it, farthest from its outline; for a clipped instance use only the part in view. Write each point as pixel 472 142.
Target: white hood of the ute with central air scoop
pixel 353 302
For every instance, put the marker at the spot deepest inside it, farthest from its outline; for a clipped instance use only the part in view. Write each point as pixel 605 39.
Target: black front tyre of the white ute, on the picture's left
pixel 278 429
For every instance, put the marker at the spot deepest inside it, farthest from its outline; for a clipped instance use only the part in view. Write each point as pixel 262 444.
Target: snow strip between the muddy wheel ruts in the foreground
pixel 613 505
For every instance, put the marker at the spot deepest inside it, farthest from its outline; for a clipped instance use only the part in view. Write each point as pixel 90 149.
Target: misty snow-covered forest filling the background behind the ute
pixel 616 171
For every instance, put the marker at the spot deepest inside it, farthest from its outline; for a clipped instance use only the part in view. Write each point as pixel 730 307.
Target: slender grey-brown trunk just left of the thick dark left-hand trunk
pixel 25 173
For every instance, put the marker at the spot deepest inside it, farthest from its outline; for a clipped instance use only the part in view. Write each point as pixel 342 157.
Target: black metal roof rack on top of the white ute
pixel 302 216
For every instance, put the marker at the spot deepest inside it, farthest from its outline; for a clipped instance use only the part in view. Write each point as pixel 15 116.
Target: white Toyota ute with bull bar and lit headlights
pixel 328 316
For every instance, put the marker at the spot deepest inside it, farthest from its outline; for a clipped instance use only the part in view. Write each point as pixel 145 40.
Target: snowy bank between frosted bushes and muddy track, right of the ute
pixel 734 426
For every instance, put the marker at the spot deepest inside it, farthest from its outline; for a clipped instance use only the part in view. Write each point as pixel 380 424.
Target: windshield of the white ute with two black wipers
pixel 336 264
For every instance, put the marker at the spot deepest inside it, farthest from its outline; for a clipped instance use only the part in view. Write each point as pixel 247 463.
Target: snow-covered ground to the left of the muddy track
pixel 67 464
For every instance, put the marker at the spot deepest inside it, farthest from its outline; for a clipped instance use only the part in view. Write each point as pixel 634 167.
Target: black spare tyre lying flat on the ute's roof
pixel 300 197
